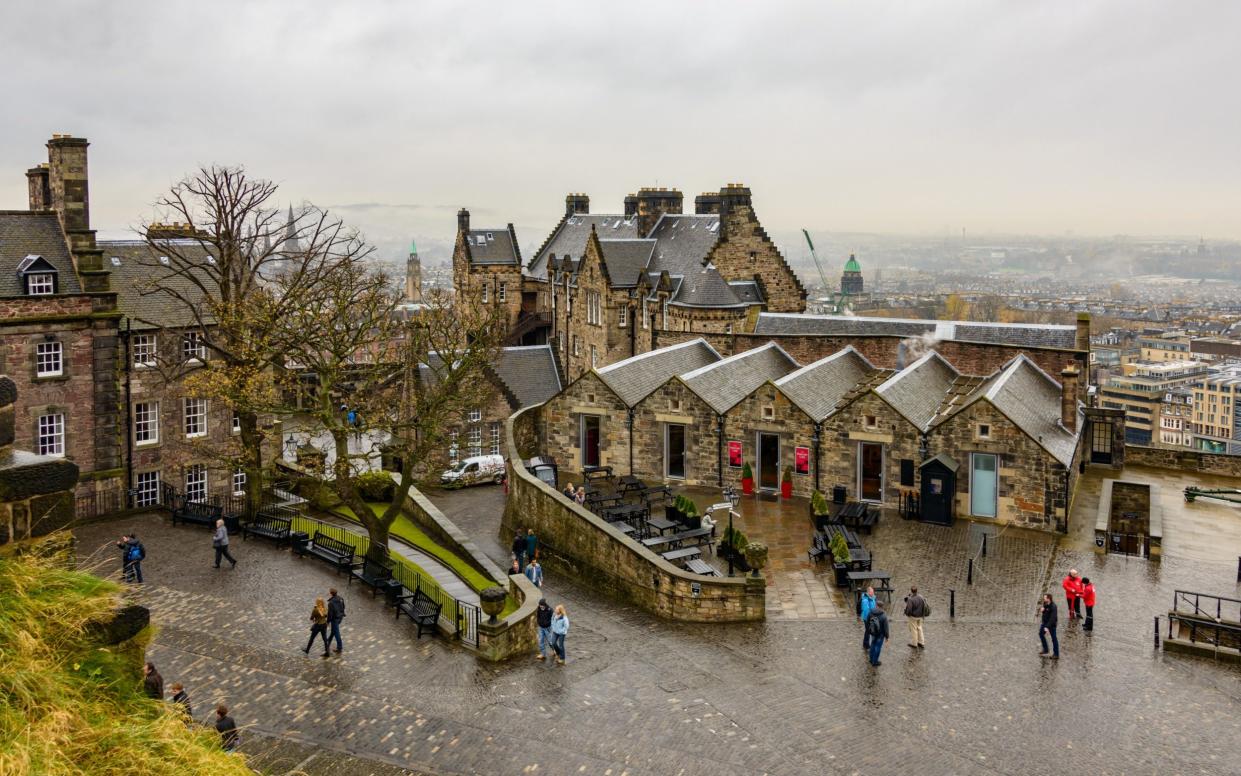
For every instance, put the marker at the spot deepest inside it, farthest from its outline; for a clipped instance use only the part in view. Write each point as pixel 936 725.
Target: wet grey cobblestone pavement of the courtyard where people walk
pixel 642 696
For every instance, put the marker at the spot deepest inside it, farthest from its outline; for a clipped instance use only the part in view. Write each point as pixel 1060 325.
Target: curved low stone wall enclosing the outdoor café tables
pixel 575 542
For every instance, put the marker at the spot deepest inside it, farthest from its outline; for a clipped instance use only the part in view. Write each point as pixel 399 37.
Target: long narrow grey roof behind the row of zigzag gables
pixel 1022 335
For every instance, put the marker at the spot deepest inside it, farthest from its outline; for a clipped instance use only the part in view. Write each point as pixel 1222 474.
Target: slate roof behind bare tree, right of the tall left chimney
pixel 137 280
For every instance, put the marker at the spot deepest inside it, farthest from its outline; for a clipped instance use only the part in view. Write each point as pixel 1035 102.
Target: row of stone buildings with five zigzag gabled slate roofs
pixel 1013 439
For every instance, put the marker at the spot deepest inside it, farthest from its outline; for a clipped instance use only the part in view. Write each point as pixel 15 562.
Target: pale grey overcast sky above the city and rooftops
pixel 1099 117
